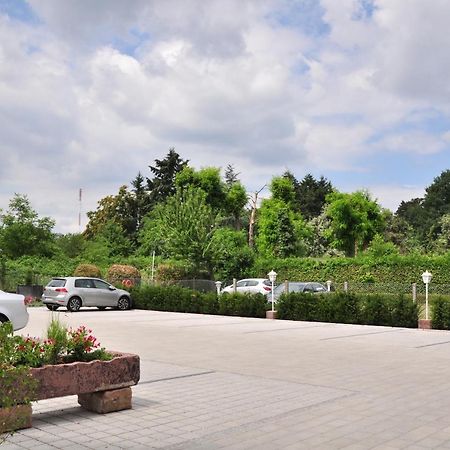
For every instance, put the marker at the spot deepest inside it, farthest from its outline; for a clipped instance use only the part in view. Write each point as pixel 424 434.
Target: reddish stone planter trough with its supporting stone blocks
pixel 101 386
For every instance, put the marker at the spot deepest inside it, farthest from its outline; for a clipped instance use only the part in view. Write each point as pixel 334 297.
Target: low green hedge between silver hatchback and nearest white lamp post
pixel 179 299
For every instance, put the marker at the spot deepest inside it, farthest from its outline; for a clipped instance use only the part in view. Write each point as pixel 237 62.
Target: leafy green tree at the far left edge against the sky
pixel 23 232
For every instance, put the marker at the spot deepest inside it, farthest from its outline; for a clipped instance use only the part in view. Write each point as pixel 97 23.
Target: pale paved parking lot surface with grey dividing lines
pixel 212 382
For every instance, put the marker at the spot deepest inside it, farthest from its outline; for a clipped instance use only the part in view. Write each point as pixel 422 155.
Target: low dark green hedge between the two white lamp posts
pixel 371 309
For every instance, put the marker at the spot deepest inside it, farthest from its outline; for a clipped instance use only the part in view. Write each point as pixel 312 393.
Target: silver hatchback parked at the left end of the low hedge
pixel 75 292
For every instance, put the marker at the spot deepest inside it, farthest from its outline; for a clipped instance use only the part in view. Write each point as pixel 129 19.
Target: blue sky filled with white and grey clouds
pixel 93 91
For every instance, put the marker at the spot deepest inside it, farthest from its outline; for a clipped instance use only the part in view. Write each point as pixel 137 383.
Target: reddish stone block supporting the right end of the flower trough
pixel 106 401
